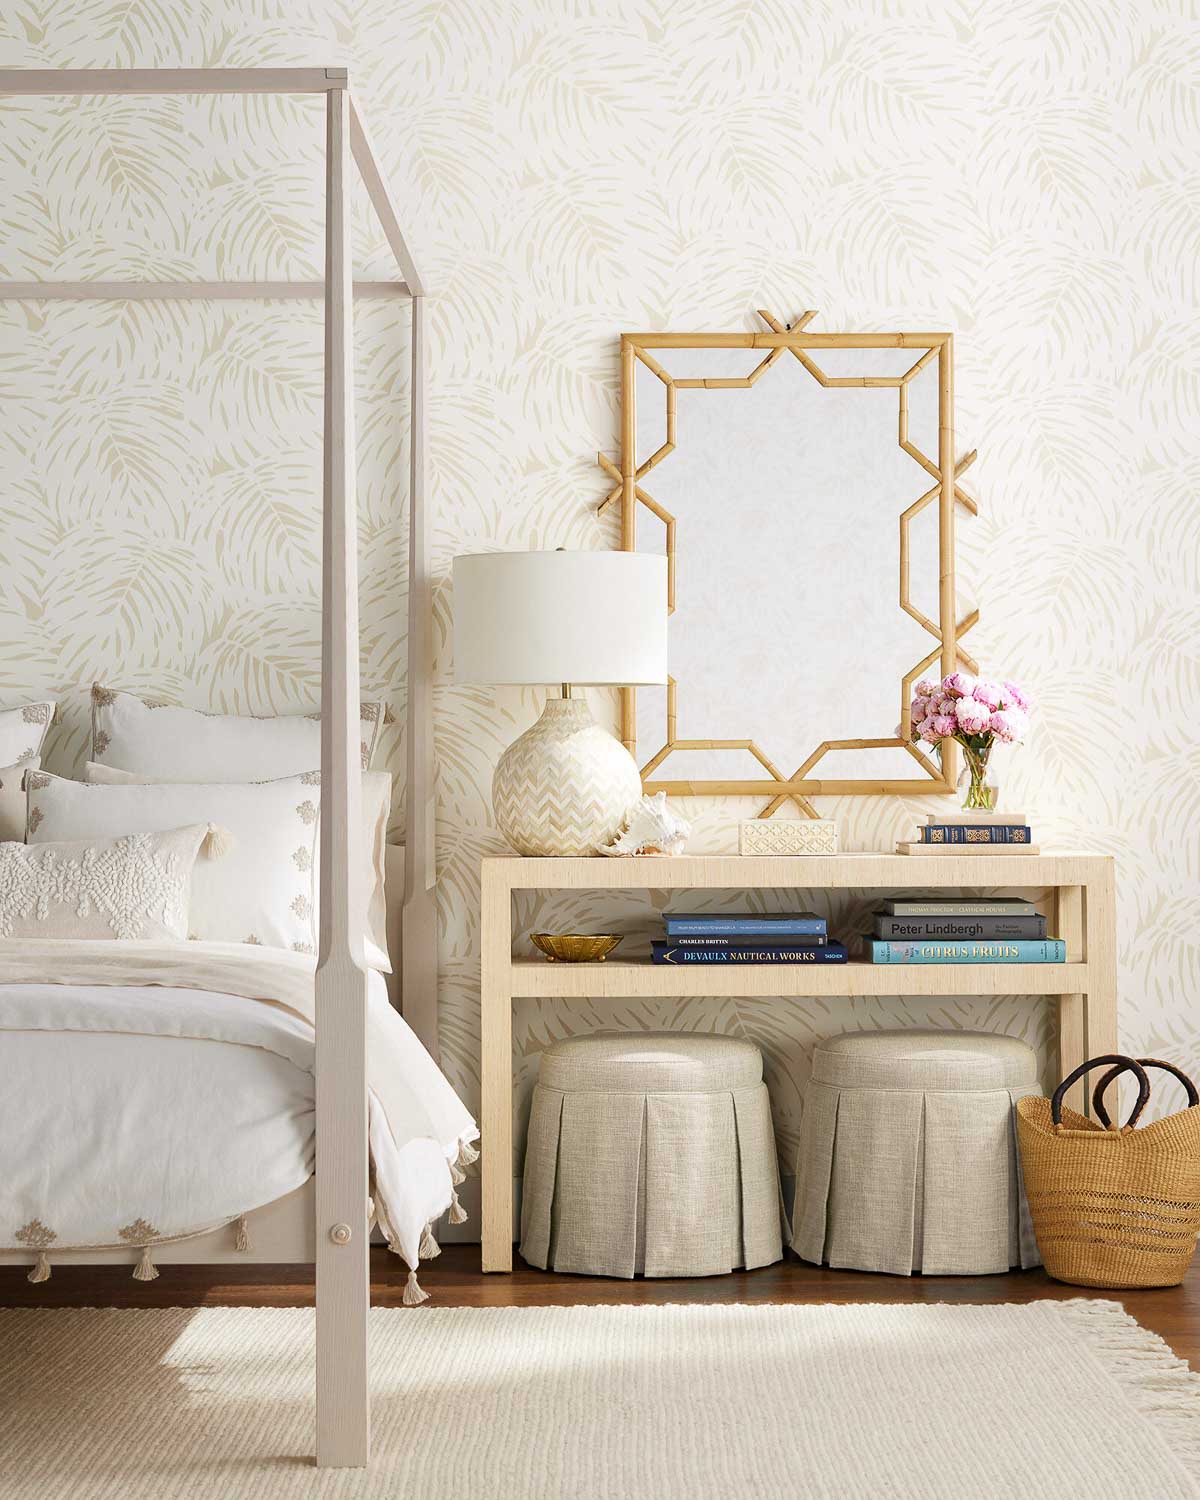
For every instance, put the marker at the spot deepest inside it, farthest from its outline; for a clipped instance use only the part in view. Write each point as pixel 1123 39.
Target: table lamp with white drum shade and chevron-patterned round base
pixel 580 620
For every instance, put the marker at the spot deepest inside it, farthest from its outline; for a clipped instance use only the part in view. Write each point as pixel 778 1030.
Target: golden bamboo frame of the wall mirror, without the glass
pixel 629 493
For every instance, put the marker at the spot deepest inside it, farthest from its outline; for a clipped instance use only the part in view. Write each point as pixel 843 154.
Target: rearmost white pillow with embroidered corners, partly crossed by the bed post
pixel 161 740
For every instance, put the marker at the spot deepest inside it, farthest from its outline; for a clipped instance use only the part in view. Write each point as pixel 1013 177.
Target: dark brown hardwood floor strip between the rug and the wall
pixel 455 1280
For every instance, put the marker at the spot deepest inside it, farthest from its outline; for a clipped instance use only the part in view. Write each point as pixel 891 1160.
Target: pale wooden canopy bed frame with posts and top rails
pixel 341 1225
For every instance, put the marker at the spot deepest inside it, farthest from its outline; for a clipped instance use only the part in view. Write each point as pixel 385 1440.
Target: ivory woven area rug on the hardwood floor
pixel 1069 1400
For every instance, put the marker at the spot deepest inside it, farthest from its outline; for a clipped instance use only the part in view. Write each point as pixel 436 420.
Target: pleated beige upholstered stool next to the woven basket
pixel 908 1154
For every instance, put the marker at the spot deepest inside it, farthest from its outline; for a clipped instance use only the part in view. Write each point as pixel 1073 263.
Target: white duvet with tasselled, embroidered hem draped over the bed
pixel 175 1084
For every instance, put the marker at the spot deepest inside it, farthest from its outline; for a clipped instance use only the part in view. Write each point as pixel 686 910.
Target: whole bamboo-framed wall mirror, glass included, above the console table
pixel 803 488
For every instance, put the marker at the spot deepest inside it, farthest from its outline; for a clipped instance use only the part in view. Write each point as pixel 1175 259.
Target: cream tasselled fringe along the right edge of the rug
pixel 1159 1384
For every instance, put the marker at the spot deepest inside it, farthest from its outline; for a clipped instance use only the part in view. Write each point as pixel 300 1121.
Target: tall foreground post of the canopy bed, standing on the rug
pixel 343 1237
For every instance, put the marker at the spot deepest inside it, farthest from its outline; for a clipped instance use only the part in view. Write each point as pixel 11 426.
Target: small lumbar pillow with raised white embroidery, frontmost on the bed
pixel 136 887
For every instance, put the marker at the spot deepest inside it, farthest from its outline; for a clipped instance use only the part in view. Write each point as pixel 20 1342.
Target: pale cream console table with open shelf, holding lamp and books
pixel 1079 902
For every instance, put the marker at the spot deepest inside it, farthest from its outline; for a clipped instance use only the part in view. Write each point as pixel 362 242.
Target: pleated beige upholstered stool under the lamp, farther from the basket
pixel 650 1153
